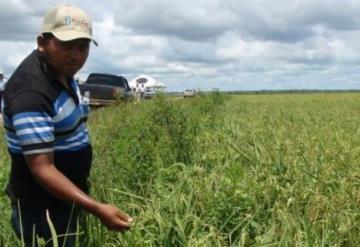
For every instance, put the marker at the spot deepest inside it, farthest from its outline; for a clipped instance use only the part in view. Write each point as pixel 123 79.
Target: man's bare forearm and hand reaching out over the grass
pixel 44 171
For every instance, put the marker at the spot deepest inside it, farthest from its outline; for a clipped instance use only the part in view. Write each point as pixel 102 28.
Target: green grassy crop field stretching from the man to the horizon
pixel 219 170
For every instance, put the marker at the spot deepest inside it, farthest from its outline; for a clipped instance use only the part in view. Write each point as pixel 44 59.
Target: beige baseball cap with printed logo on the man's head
pixel 67 22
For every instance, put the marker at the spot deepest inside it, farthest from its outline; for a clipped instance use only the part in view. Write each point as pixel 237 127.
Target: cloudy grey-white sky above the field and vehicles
pixel 225 44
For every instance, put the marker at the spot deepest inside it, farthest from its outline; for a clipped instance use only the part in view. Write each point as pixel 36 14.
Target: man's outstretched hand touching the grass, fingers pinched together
pixel 113 218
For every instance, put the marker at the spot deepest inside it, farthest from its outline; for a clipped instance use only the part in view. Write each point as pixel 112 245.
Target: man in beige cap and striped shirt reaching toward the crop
pixel 44 118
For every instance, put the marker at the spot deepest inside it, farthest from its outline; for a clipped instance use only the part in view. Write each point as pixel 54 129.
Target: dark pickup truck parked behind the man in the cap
pixel 104 89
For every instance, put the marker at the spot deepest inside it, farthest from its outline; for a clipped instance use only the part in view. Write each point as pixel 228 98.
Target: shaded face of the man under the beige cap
pixel 64 58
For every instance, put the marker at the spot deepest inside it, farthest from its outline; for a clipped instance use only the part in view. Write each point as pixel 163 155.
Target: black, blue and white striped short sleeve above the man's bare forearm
pixel 33 123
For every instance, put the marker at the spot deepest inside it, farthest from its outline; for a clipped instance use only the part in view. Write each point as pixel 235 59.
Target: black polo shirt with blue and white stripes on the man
pixel 41 116
